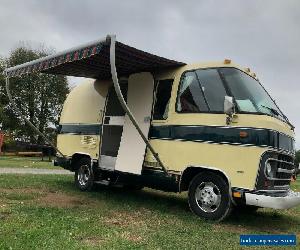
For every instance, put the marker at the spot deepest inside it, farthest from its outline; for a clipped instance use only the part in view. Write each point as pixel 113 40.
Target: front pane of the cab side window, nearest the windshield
pixel 213 88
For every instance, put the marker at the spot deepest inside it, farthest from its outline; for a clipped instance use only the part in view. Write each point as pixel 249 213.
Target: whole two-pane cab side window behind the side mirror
pixel 201 91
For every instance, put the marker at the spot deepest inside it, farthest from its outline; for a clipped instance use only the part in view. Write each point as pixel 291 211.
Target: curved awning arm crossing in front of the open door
pixel 123 103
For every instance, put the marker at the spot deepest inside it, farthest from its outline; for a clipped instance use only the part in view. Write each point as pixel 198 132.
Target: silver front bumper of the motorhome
pixel 273 200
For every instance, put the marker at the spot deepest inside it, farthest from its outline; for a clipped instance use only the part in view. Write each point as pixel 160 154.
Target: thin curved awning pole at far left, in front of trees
pixel 19 112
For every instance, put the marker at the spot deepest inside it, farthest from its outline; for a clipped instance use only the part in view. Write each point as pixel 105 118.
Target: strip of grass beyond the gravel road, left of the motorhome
pixel 25 162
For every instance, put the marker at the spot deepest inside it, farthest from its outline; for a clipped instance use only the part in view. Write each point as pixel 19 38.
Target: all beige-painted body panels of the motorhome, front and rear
pixel 86 103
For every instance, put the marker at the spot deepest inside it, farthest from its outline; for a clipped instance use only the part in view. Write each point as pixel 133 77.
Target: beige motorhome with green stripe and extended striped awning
pixel 141 120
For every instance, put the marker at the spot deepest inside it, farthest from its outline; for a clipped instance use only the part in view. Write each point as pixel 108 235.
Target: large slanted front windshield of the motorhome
pixel 249 95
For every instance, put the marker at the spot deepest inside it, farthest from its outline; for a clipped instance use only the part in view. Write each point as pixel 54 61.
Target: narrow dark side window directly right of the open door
pixel 162 99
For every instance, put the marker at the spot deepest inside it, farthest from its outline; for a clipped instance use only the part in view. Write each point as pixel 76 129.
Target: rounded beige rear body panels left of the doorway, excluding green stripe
pixel 84 105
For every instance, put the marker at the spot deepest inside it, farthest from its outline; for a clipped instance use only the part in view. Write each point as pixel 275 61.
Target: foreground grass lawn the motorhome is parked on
pixel 47 212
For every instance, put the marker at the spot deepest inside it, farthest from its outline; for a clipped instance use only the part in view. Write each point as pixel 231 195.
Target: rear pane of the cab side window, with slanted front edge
pixel 190 95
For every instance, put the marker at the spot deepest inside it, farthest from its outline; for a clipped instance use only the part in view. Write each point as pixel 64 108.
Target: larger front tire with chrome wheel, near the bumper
pixel 209 196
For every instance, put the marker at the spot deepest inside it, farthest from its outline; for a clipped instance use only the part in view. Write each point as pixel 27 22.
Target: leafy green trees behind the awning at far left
pixel 39 96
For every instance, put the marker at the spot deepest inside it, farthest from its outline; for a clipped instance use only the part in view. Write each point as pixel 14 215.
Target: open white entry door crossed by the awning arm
pixel 139 100
